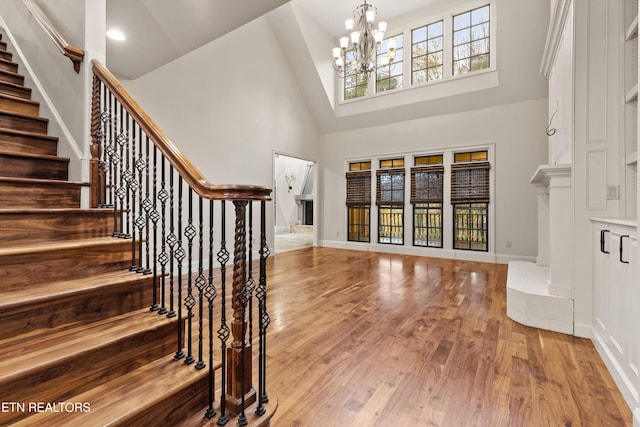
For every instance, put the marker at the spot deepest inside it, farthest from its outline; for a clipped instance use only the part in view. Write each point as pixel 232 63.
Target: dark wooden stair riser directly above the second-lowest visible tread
pixel 90 305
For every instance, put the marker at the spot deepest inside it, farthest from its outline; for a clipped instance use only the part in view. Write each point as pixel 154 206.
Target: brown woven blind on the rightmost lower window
pixel 470 182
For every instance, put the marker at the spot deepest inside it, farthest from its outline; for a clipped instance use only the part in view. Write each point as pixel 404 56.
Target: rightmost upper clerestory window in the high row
pixel 471 36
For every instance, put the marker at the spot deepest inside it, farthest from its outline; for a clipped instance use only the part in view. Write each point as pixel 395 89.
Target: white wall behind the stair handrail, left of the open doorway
pixel 229 104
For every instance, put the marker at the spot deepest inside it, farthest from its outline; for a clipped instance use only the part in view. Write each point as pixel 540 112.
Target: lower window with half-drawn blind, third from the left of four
pixel 427 185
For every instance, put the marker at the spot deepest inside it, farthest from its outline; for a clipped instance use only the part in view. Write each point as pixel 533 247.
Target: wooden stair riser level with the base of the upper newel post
pixel 27 195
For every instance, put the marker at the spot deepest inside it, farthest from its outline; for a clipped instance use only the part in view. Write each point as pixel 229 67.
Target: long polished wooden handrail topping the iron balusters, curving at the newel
pixel 176 158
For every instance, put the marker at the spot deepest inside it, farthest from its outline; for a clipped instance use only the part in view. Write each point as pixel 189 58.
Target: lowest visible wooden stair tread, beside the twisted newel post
pixel 116 401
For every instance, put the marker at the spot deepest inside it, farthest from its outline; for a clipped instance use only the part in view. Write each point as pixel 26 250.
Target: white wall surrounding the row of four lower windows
pixel 517 130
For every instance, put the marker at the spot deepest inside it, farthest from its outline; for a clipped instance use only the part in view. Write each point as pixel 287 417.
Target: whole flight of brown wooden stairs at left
pixel 78 344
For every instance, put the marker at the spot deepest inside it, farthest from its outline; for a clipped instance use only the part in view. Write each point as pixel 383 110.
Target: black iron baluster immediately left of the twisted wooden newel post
pixel 223 331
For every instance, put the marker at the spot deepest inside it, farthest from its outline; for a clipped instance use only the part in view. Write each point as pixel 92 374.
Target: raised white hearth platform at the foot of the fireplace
pixel 529 301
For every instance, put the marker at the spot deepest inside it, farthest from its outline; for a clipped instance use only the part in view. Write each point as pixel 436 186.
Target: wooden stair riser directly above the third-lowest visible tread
pixel 18 271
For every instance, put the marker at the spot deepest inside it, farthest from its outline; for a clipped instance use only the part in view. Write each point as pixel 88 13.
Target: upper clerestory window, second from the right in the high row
pixel 427 45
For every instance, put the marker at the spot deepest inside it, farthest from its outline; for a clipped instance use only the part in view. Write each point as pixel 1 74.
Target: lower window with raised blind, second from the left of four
pixel 390 201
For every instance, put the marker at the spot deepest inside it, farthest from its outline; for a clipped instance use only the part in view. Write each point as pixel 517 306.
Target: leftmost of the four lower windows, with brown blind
pixel 358 201
